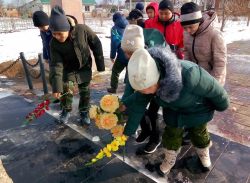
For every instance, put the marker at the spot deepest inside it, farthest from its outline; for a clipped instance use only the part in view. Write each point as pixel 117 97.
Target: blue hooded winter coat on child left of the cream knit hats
pixel 116 37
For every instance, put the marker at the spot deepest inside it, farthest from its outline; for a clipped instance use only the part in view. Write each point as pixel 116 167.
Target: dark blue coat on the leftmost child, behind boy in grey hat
pixel 46 37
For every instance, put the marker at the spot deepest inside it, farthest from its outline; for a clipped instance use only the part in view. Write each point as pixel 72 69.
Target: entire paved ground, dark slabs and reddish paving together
pixel 48 152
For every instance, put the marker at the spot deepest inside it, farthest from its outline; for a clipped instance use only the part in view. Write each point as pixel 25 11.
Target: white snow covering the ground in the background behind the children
pixel 29 41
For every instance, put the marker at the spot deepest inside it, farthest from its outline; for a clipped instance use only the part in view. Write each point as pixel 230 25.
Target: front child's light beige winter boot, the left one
pixel 168 162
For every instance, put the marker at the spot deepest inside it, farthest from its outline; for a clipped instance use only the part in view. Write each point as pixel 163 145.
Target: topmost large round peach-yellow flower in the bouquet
pixel 109 103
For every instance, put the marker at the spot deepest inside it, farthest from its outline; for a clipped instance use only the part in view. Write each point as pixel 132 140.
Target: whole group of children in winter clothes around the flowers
pixel 152 51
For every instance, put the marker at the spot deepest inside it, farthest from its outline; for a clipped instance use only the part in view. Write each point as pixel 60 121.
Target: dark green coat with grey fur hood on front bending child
pixel 188 94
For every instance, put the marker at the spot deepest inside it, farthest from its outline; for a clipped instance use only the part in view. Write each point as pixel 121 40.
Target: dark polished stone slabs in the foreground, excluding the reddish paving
pixel 47 152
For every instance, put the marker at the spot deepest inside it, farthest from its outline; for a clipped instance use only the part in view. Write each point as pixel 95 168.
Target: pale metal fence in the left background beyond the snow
pixel 15 24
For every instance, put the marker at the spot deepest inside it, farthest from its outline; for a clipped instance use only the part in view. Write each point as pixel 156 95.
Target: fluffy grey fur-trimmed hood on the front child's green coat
pixel 170 69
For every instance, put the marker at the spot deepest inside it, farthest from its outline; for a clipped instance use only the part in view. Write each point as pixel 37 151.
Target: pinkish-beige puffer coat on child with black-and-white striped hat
pixel 207 48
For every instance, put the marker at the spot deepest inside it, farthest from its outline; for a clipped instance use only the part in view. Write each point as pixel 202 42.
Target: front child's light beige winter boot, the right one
pixel 204 156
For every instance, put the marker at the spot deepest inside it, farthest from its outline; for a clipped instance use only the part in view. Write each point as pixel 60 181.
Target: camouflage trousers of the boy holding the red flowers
pixel 67 98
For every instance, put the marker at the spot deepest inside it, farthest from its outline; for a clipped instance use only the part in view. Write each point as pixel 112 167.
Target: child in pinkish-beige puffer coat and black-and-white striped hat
pixel 209 48
